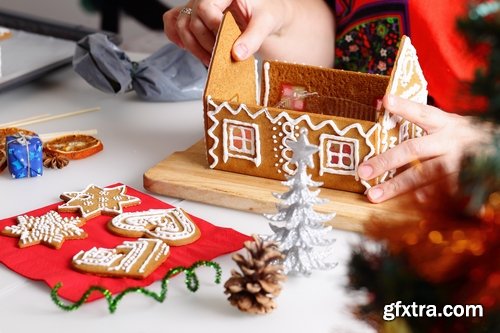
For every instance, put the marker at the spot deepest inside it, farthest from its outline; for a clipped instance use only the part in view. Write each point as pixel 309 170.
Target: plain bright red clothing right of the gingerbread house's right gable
pixel 447 60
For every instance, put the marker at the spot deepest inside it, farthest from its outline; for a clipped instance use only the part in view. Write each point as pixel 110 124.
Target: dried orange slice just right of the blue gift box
pixel 74 147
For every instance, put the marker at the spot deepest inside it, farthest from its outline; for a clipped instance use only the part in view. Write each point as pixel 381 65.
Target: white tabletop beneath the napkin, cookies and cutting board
pixel 136 136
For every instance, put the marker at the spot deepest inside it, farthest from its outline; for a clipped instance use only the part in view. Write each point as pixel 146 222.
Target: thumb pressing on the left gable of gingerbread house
pixel 250 41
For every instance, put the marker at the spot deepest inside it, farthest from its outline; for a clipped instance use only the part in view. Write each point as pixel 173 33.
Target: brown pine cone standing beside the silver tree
pixel 253 290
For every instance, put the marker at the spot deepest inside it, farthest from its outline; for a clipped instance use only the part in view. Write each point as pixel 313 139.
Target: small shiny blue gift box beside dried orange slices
pixel 24 155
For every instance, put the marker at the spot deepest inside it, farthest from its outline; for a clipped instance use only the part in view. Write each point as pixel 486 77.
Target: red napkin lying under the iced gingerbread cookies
pixel 40 262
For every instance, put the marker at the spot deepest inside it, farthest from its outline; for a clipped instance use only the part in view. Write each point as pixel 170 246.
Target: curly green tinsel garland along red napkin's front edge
pixel 191 280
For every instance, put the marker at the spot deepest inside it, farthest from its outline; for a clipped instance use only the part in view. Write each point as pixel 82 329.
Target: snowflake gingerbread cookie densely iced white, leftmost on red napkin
pixel 50 229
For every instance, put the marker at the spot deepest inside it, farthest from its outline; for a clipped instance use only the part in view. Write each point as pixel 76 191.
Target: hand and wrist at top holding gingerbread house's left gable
pixel 300 31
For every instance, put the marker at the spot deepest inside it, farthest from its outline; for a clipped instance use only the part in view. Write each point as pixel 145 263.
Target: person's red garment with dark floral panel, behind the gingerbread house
pixel 368 34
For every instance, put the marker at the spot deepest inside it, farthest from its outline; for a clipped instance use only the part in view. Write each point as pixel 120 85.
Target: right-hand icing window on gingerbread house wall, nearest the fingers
pixel 327 155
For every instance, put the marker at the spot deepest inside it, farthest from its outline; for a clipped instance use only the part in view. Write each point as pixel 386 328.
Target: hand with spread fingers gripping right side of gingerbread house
pixel 449 136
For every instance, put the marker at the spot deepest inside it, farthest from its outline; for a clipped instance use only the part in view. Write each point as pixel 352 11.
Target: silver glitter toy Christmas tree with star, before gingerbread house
pixel 299 230
